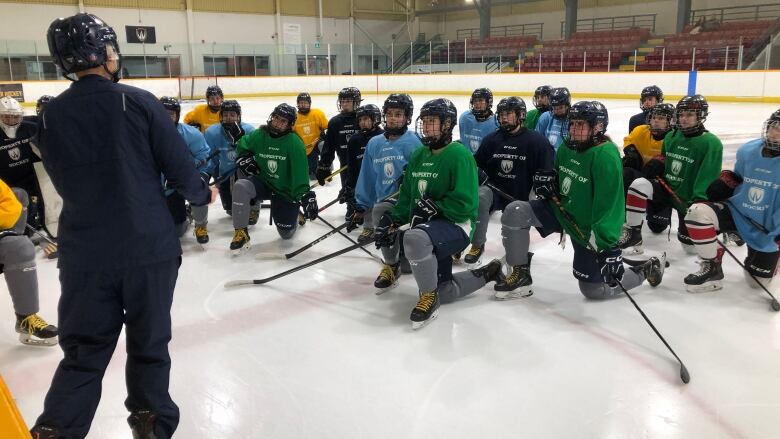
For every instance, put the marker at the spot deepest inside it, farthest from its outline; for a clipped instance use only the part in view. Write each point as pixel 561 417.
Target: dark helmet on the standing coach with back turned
pixel 80 42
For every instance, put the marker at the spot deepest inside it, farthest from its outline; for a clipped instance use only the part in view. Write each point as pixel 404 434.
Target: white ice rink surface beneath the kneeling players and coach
pixel 319 355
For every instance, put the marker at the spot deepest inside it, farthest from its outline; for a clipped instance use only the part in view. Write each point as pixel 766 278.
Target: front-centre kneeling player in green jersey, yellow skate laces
pixel 438 198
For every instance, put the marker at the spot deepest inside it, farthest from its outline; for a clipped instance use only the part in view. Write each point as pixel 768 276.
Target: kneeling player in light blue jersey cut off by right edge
pixel 747 201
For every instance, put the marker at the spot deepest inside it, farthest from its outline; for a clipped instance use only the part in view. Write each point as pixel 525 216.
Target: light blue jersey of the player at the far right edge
pixel 758 197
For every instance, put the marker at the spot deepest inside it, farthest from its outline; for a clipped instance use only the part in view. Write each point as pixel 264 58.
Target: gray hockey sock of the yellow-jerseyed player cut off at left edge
pixel 17 257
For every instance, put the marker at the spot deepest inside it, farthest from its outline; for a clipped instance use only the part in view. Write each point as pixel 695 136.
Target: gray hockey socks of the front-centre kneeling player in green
pixel 418 248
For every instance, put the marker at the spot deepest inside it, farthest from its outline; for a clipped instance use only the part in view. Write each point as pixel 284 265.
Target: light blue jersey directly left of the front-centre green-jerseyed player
pixel 382 166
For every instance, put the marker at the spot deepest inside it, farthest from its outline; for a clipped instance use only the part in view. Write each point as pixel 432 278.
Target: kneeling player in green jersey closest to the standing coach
pixel 273 161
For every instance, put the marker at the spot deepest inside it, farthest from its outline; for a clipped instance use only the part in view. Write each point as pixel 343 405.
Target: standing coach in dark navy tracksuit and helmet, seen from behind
pixel 105 145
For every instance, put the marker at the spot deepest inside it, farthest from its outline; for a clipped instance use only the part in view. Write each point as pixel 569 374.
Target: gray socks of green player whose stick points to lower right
pixel 516 222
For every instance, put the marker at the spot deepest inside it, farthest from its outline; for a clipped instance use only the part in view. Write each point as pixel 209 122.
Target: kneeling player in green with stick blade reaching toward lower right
pixel 587 182
